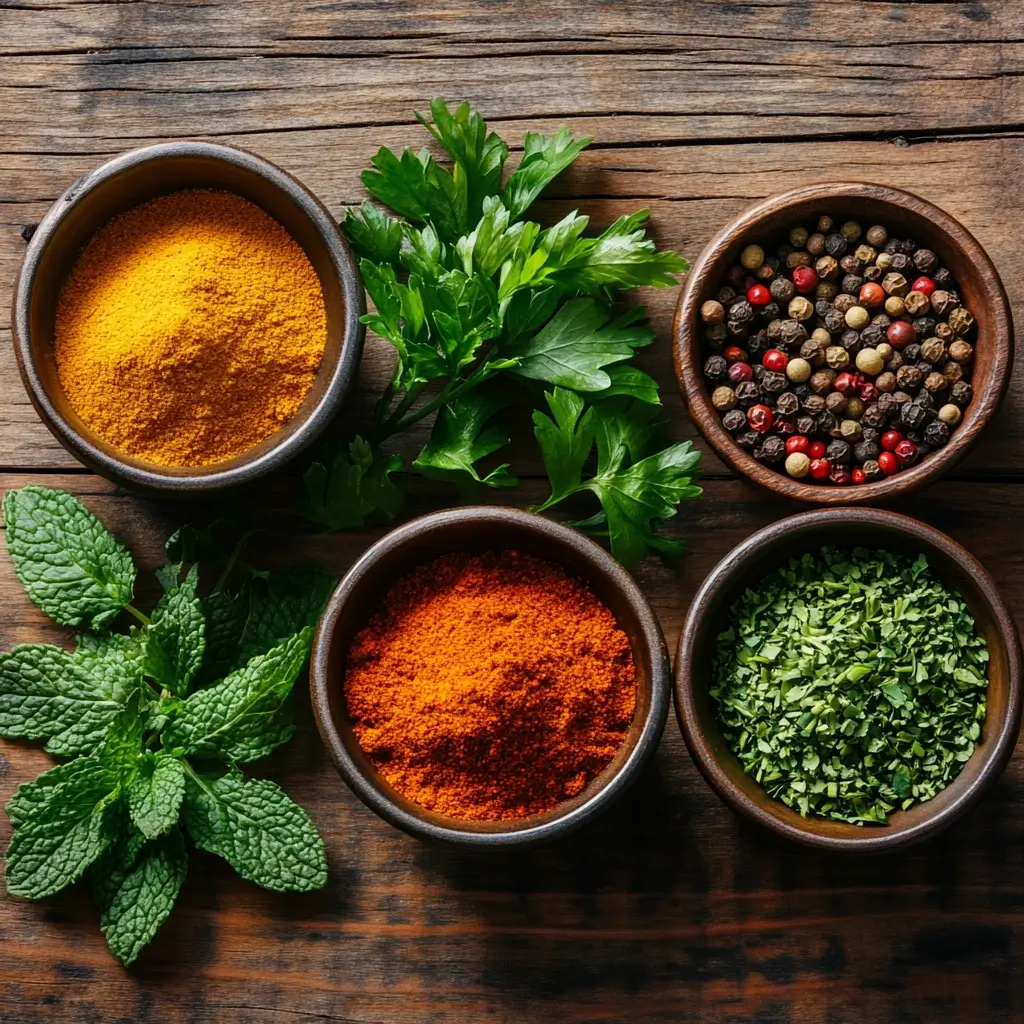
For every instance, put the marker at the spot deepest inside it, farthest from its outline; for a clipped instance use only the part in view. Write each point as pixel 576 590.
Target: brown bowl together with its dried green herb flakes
pixel 849 678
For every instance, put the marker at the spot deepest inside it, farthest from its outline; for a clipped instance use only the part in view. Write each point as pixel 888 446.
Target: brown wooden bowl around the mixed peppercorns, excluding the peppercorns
pixel 769 224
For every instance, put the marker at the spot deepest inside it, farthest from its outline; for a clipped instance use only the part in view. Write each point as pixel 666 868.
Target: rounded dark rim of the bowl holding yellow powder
pixel 152 478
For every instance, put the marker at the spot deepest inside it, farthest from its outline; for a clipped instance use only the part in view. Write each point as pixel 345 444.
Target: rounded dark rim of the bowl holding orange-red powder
pixel 565 537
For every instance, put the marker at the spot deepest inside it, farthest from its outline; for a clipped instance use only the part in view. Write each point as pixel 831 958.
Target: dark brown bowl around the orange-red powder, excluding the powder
pixel 480 530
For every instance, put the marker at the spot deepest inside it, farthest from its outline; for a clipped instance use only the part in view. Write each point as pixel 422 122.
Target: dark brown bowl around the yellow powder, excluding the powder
pixel 125 183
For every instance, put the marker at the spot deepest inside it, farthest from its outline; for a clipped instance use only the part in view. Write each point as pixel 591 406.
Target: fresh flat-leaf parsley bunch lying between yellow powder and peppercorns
pixel 470 294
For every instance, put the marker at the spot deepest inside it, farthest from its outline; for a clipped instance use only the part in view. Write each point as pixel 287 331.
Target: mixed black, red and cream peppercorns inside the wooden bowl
pixel 841 359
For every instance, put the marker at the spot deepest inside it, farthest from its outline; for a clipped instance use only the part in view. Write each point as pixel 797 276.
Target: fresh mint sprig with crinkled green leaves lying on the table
pixel 155 721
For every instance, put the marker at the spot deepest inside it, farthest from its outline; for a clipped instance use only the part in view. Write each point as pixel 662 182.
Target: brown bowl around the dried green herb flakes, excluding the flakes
pixel 775 545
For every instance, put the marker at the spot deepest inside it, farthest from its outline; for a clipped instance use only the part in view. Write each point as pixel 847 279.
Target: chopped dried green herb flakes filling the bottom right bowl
pixel 851 685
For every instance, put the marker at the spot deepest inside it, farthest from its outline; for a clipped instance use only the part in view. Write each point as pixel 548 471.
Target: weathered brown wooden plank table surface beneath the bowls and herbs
pixel 669 909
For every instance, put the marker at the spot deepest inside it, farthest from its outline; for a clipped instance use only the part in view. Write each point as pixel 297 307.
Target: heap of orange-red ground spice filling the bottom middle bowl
pixel 491 687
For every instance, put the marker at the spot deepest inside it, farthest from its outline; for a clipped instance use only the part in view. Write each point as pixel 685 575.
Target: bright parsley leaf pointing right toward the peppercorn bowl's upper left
pixel 622 258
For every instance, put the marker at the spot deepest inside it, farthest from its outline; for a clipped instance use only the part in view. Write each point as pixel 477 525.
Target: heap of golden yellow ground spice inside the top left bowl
pixel 191 329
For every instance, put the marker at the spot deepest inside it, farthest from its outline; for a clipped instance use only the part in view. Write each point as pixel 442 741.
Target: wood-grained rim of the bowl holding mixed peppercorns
pixel 688 348
